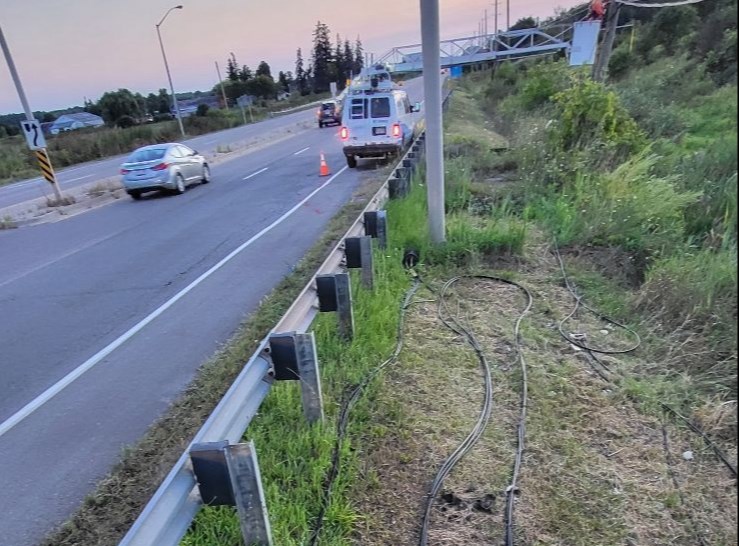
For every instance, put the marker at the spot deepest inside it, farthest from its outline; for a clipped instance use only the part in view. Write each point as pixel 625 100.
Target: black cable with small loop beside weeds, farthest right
pixel 590 353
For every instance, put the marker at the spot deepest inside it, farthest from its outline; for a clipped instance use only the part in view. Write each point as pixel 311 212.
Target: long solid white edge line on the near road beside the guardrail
pixel 60 385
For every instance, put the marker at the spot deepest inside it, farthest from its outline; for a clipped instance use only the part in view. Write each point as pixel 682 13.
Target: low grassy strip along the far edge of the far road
pixel 66 149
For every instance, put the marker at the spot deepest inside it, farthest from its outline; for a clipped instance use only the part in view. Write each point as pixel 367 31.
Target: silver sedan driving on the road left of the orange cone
pixel 165 167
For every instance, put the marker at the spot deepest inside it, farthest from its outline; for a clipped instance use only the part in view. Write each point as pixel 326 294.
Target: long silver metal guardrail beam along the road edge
pixel 167 516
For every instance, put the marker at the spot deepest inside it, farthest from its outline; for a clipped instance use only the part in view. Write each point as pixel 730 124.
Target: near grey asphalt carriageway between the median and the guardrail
pixel 107 316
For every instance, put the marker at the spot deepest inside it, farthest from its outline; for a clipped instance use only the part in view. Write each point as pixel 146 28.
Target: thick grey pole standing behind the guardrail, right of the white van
pixel 430 35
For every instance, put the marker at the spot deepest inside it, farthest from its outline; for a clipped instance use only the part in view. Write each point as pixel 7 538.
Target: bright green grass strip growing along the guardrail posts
pixel 295 457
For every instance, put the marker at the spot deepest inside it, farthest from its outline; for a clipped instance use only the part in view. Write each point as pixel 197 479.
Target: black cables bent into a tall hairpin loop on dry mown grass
pixel 454 324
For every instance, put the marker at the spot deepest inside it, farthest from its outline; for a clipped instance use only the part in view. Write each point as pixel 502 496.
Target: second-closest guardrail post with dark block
pixel 294 358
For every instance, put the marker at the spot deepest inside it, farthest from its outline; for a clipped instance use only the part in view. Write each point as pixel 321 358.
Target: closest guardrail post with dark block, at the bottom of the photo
pixel 228 475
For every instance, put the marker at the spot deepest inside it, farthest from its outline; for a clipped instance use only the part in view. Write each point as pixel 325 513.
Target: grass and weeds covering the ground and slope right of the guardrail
pixel 634 184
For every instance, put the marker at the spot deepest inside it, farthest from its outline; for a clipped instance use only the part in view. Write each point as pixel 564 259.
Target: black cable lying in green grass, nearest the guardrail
pixel 348 404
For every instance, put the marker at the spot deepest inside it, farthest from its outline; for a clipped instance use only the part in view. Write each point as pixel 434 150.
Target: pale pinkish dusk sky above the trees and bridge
pixel 68 50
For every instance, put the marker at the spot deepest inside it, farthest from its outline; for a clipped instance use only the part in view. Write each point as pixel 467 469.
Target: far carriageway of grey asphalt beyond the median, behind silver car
pixel 85 173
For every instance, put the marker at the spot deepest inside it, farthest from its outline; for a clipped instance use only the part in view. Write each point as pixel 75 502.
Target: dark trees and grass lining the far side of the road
pixel 133 120
